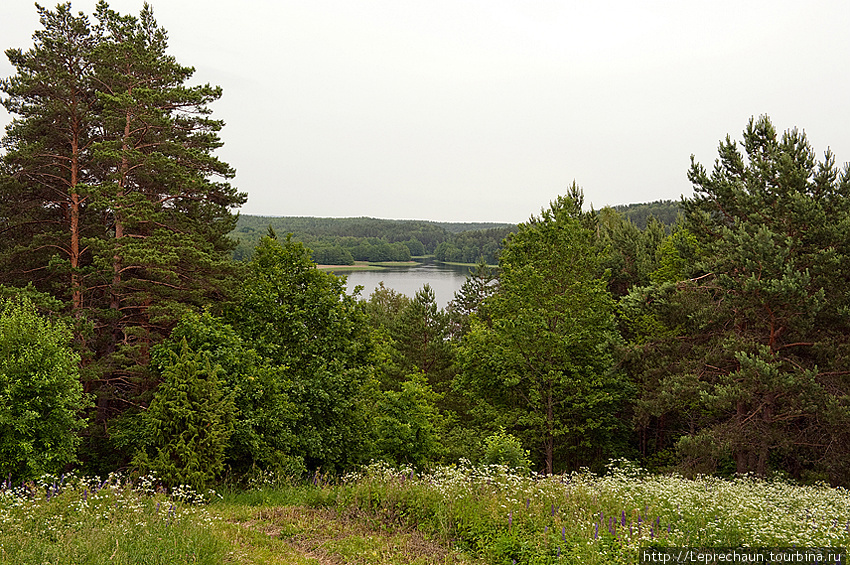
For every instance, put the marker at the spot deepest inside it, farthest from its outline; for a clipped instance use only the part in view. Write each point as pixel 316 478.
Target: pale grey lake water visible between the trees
pixel 444 279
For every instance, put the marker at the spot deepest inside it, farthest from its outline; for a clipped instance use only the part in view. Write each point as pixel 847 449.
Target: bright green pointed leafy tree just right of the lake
pixel 542 366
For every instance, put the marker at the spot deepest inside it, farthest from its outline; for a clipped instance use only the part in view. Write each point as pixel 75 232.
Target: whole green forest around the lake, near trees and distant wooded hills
pixel 710 340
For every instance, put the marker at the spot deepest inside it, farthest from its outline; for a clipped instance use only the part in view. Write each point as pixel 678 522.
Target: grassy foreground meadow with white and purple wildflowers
pixel 385 515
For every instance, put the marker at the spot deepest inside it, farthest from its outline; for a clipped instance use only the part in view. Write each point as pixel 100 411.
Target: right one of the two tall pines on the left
pixel 165 216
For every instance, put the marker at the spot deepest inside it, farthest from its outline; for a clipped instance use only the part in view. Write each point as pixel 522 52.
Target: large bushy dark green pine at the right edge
pixel 752 354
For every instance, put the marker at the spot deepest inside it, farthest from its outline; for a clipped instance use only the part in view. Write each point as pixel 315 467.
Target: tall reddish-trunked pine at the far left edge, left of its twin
pixel 47 183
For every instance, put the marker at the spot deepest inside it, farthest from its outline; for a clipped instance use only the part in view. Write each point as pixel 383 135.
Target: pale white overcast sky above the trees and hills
pixel 474 110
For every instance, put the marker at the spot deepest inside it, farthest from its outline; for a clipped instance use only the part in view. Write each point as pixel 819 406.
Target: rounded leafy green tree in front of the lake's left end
pixel 300 318
